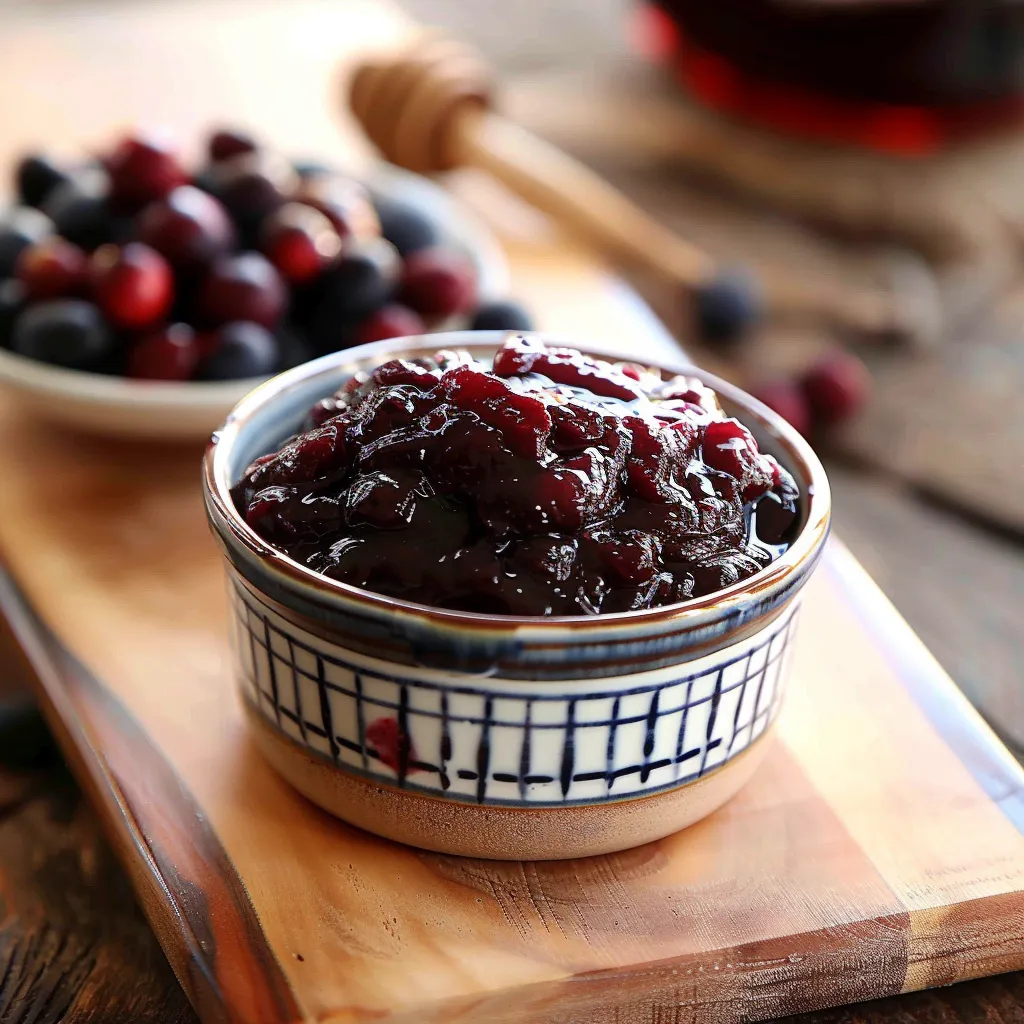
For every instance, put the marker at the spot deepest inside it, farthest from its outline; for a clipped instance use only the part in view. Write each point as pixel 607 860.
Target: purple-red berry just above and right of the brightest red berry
pixel 189 228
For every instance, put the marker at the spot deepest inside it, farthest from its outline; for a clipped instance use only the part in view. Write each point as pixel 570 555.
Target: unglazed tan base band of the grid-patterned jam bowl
pixel 498 833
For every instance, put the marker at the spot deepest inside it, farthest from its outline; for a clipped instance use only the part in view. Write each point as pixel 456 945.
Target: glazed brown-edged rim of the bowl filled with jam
pixel 770 582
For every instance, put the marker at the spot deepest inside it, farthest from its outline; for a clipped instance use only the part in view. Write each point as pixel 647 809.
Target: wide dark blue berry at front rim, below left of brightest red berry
pixel 66 332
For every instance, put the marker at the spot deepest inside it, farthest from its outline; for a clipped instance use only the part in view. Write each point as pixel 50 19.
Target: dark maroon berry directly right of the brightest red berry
pixel 244 287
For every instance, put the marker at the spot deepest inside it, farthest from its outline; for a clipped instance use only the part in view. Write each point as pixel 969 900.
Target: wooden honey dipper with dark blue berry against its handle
pixel 430 109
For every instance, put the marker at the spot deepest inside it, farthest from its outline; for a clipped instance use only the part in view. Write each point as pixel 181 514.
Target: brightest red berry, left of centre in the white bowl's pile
pixel 134 285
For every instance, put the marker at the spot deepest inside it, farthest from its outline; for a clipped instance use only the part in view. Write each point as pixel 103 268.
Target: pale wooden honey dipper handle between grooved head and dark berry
pixel 575 196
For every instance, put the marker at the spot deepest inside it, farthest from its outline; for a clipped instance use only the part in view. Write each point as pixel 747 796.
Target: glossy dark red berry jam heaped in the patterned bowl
pixel 551 485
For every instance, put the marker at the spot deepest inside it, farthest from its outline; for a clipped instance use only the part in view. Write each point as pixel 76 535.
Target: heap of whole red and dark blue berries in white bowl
pixel 135 266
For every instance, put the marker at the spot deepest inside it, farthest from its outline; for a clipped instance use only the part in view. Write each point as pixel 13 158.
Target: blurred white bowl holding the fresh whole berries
pixel 144 410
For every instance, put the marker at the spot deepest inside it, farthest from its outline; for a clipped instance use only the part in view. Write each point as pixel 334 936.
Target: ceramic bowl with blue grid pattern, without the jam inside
pixel 501 737
